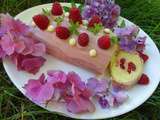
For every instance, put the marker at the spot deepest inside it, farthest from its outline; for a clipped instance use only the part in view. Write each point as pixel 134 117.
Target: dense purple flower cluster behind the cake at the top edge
pixel 107 10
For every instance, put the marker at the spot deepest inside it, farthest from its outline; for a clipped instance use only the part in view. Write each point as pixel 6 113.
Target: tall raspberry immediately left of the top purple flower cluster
pixel 75 15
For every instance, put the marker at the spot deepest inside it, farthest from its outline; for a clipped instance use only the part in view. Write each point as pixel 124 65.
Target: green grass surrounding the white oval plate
pixel 14 106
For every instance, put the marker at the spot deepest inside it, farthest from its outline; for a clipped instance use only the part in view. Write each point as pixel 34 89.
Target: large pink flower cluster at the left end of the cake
pixel 18 43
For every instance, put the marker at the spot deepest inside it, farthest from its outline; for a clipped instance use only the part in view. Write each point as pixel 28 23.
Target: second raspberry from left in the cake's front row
pixel 62 32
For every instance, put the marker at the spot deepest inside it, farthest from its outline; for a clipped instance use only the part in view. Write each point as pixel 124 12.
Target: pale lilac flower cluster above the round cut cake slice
pixel 129 40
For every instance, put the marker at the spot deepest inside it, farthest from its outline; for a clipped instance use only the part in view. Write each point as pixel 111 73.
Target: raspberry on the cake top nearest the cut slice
pixel 104 42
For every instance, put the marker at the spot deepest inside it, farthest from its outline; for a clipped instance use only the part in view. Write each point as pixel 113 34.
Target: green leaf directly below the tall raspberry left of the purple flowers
pixel 73 28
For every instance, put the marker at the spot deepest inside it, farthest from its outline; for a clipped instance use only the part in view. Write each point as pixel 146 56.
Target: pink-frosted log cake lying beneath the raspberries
pixel 78 55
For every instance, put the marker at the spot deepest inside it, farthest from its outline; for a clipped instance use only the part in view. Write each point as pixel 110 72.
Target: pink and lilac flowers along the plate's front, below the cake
pixel 72 91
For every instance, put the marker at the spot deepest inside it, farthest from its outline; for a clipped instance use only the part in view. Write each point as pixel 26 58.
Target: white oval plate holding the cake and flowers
pixel 137 96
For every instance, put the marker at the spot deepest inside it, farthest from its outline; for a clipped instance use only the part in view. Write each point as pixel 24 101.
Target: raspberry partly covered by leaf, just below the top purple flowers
pixel 94 20
